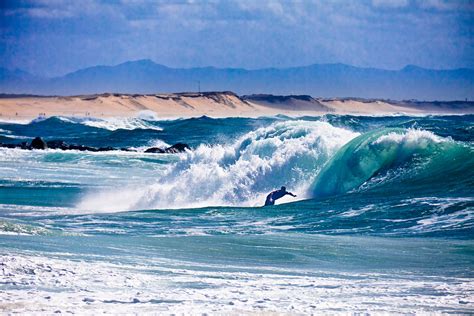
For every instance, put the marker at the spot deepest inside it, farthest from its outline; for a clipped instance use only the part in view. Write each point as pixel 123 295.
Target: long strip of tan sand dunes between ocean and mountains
pixel 214 104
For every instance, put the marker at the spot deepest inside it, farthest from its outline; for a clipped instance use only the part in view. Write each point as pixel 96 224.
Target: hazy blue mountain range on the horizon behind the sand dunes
pixel 319 80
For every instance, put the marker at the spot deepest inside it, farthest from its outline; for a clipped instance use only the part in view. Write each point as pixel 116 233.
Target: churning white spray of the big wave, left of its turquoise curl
pixel 285 153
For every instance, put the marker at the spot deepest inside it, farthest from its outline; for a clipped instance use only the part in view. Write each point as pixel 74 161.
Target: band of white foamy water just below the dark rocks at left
pixel 57 168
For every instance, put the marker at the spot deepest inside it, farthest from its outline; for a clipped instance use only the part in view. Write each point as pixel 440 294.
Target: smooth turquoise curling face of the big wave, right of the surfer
pixel 380 156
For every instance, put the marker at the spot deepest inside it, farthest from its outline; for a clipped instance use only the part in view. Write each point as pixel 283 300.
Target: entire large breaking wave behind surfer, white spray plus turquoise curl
pixel 313 159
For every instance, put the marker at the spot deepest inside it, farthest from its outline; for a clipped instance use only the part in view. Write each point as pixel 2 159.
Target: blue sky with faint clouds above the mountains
pixel 54 37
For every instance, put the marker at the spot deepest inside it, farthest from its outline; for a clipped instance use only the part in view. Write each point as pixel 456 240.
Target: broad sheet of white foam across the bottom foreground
pixel 46 285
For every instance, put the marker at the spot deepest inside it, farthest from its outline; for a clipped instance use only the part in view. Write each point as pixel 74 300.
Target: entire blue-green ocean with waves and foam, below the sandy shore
pixel 383 221
